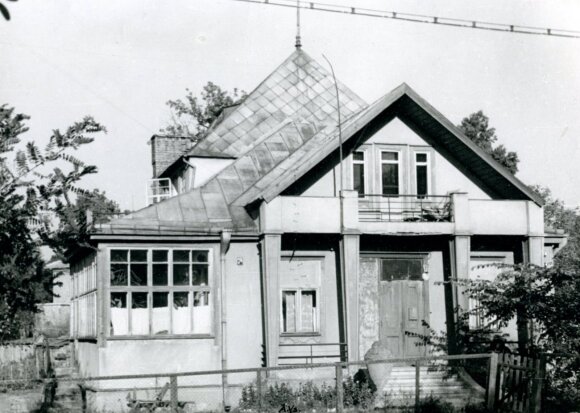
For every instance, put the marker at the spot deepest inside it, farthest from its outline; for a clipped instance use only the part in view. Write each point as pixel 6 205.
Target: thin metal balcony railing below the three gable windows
pixel 405 208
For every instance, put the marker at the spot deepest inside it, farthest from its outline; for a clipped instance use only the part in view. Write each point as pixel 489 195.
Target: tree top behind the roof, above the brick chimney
pixel 192 116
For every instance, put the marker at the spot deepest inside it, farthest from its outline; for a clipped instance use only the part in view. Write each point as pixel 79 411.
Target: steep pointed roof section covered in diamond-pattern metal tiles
pixel 300 89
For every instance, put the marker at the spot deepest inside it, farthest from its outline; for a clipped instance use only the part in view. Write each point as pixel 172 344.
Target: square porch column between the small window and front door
pixel 350 264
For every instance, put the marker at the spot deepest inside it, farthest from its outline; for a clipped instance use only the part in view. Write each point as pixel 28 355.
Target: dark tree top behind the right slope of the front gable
pixel 476 127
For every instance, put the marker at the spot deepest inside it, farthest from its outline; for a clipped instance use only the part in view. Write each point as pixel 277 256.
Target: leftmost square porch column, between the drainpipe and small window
pixel 271 252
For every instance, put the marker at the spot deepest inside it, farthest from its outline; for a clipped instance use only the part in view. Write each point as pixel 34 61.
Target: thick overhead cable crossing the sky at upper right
pixel 419 18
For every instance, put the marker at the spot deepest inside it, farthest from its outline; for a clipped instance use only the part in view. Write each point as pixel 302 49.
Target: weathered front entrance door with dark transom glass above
pixel 403 305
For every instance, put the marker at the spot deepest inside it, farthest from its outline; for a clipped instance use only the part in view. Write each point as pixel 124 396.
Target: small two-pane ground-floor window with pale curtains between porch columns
pixel 299 311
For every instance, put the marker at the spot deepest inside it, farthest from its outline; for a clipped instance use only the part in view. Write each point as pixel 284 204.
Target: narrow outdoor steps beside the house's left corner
pixel 68 398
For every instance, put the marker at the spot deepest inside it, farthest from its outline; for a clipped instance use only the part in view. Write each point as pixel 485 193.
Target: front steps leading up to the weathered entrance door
pixel 400 388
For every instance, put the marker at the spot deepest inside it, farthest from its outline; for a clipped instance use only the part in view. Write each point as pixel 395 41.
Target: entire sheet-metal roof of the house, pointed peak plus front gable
pixel 269 163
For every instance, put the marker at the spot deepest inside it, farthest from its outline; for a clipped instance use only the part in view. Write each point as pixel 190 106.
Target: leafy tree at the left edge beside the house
pixel 26 191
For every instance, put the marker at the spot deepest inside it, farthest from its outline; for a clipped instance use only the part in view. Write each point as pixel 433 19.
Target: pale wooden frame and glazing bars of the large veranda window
pixel 171 289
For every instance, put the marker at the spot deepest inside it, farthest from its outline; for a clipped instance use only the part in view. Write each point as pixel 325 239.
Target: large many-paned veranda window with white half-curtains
pixel 160 291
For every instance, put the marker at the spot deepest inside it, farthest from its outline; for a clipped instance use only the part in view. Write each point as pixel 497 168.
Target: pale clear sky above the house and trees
pixel 121 61
